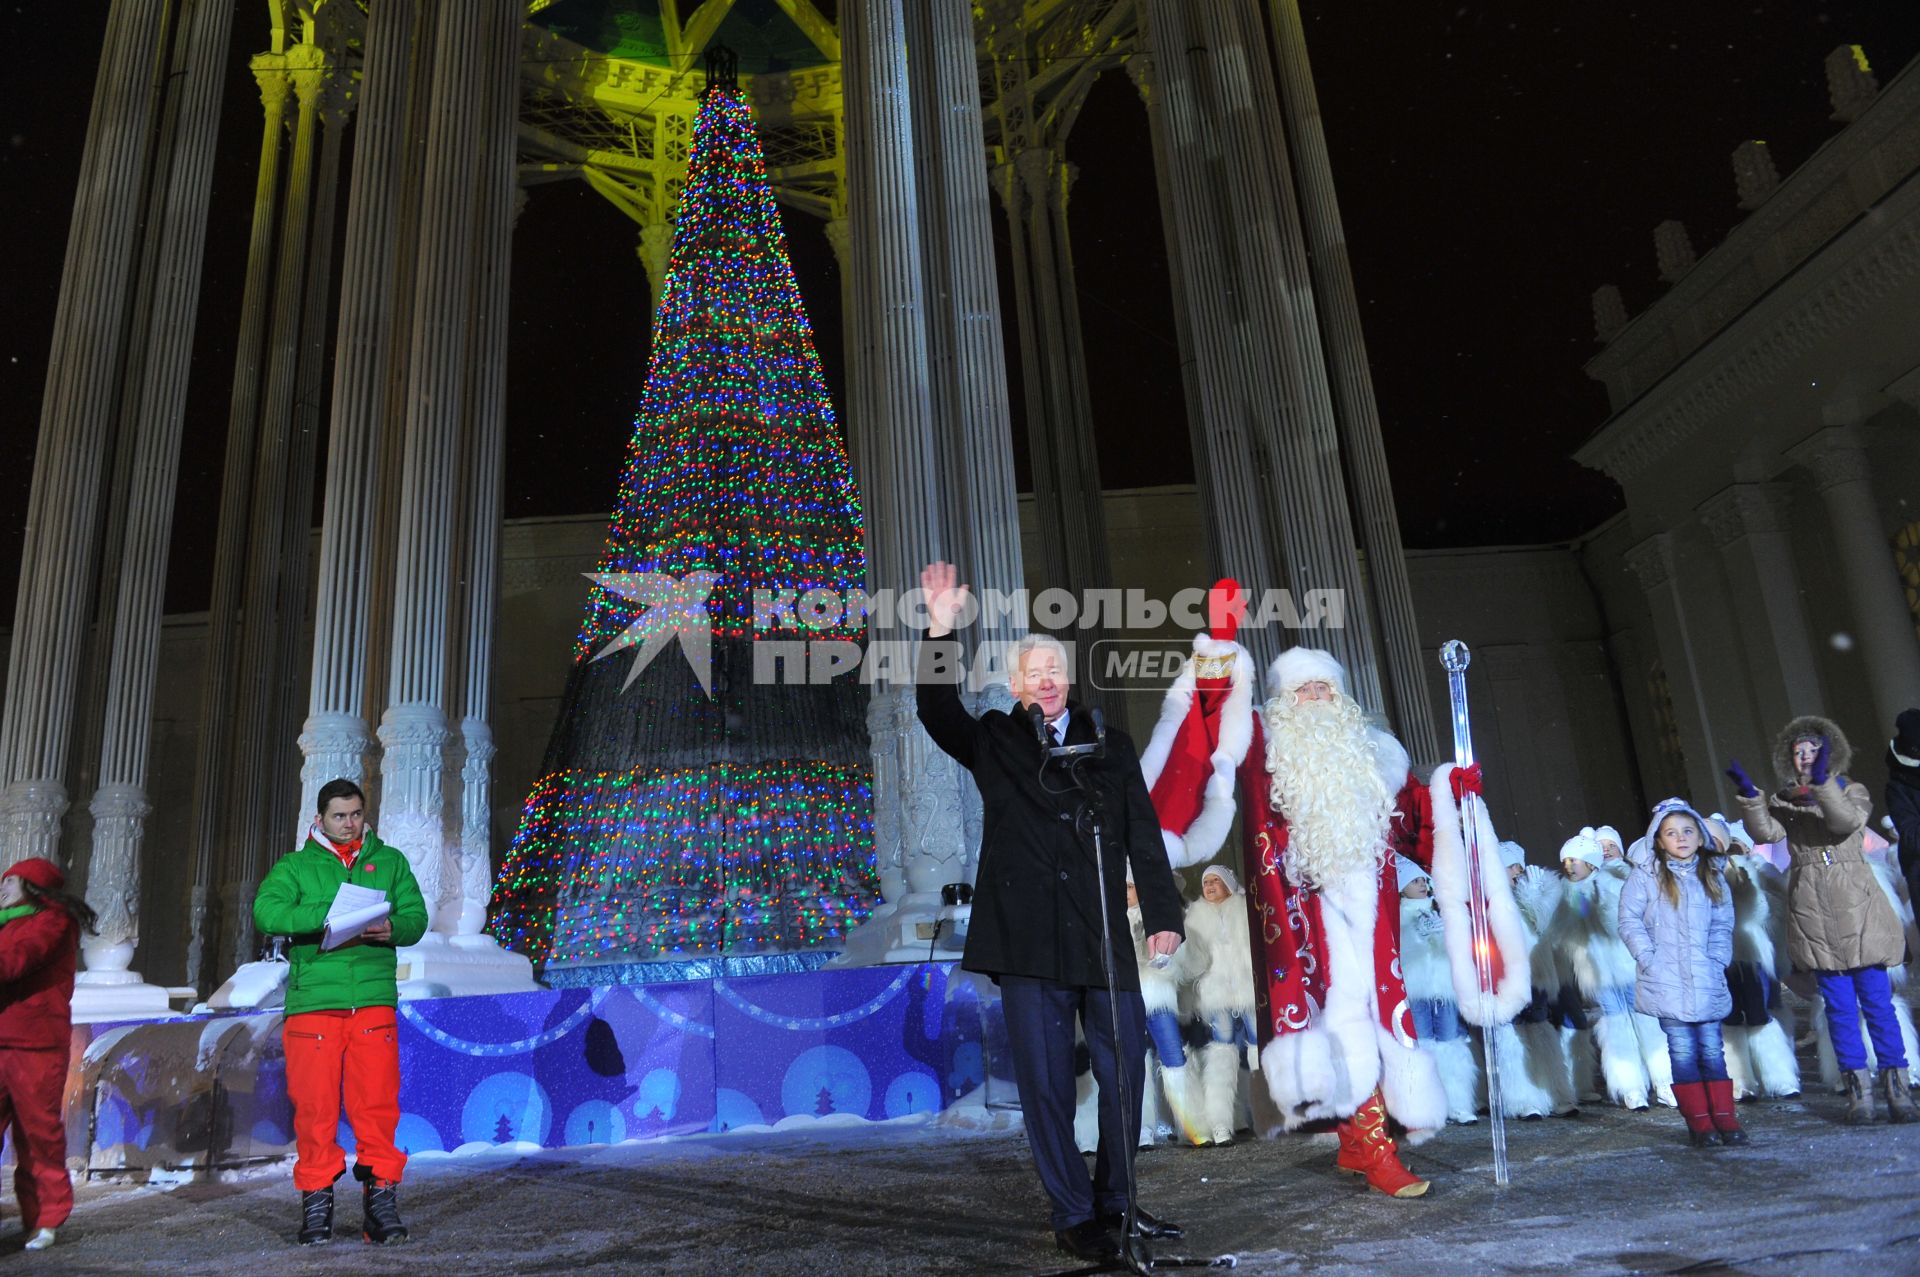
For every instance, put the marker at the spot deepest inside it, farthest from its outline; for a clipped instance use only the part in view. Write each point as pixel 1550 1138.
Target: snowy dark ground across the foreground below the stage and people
pixel 1606 1193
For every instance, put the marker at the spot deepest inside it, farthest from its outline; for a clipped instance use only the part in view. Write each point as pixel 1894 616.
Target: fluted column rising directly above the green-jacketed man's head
pixel 335 738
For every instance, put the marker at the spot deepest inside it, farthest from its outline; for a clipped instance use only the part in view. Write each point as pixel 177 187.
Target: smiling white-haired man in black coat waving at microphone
pixel 1036 921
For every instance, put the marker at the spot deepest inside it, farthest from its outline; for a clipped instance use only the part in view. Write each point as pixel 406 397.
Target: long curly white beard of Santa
pixel 1330 786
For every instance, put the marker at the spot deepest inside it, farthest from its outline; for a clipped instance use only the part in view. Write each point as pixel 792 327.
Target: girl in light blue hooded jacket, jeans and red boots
pixel 1677 919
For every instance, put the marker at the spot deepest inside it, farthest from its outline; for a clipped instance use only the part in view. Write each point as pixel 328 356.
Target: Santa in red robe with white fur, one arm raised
pixel 1326 802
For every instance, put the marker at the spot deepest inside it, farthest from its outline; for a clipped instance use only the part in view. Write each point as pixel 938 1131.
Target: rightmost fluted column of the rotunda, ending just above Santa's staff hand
pixel 1353 389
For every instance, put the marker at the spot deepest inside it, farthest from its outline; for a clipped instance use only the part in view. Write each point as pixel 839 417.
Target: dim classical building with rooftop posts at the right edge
pixel 1765 431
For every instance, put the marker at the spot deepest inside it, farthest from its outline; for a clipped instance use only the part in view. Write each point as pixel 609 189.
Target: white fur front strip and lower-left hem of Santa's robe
pixel 1332 1067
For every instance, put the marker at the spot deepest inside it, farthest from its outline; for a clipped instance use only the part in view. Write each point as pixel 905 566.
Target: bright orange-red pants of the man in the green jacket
pixel 352 1055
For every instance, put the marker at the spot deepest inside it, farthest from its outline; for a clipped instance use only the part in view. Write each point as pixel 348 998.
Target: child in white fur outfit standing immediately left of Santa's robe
pixel 1222 969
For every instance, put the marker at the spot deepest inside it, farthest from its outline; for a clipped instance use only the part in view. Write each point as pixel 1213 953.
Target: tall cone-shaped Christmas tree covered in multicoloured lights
pixel 686 807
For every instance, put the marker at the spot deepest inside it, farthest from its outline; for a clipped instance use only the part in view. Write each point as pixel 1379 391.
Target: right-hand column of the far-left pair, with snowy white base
pixel 120 806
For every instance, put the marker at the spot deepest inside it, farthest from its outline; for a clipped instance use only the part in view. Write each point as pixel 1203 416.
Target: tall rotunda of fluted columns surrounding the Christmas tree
pixel 370 650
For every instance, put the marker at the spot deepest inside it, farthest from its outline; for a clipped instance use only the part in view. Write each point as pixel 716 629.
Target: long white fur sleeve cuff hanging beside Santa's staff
pixel 1452 894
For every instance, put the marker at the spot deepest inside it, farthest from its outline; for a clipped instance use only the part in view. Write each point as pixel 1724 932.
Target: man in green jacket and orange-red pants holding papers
pixel 341 1034
